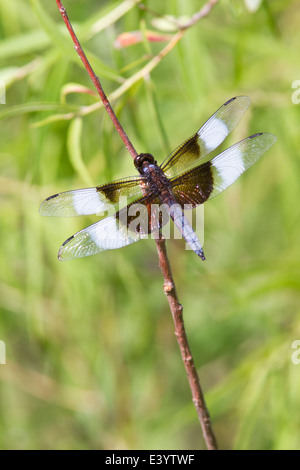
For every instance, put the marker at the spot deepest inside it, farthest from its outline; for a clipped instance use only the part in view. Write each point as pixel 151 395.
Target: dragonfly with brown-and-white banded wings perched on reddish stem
pixel 177 182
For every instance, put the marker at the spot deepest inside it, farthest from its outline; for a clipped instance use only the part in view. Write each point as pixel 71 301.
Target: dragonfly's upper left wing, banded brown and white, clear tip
pixel 92 200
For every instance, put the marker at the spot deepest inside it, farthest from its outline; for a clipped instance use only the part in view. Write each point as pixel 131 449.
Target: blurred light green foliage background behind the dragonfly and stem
pixel 92 360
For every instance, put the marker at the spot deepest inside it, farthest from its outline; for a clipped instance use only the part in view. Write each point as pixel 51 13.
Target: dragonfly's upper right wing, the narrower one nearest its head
pixel 208 137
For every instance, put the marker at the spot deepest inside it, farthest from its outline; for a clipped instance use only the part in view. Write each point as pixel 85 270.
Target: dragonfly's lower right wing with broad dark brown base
pixel 211 178
